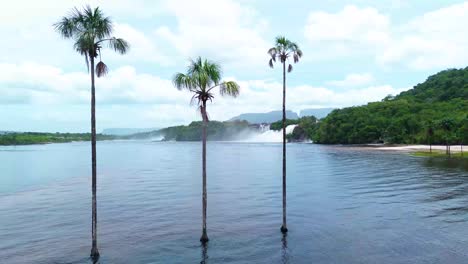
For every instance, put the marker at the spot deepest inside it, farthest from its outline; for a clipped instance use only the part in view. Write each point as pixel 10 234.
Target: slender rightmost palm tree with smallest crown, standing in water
pixel 283 50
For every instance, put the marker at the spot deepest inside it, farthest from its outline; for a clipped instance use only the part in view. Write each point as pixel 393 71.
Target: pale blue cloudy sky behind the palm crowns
pixel 355 52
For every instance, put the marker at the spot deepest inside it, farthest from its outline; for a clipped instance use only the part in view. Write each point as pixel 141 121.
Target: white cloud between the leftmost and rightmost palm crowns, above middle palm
pixel 223 30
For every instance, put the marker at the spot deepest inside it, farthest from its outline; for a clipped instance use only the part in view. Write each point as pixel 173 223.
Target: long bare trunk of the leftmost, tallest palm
pixel 94 250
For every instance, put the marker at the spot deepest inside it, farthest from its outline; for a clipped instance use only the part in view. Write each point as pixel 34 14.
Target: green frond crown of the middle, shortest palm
pixel 201 78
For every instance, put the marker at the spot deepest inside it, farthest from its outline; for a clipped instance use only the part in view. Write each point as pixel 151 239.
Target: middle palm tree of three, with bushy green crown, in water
pixel 202 77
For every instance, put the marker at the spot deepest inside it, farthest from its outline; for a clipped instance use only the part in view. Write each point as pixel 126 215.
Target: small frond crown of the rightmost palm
pixel 283 50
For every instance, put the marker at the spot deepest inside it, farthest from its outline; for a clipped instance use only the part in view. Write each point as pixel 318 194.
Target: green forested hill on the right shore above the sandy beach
pixel 435 111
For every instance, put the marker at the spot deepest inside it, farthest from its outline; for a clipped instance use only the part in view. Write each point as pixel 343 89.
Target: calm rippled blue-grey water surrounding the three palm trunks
pixel 344 205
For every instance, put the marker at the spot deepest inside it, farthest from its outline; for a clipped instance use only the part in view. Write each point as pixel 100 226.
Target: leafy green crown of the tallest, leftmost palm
pixel 91 30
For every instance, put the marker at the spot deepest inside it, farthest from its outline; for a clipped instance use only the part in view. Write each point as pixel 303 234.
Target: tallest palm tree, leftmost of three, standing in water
pixel 91 30
